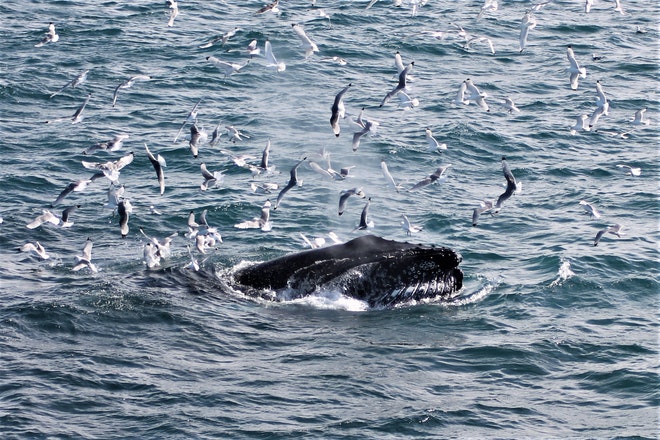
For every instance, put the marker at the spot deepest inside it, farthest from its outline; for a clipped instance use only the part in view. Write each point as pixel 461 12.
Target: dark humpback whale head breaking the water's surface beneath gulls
pixel 381 272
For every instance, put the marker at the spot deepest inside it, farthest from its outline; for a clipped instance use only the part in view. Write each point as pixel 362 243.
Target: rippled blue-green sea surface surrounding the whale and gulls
pixel 551 337
